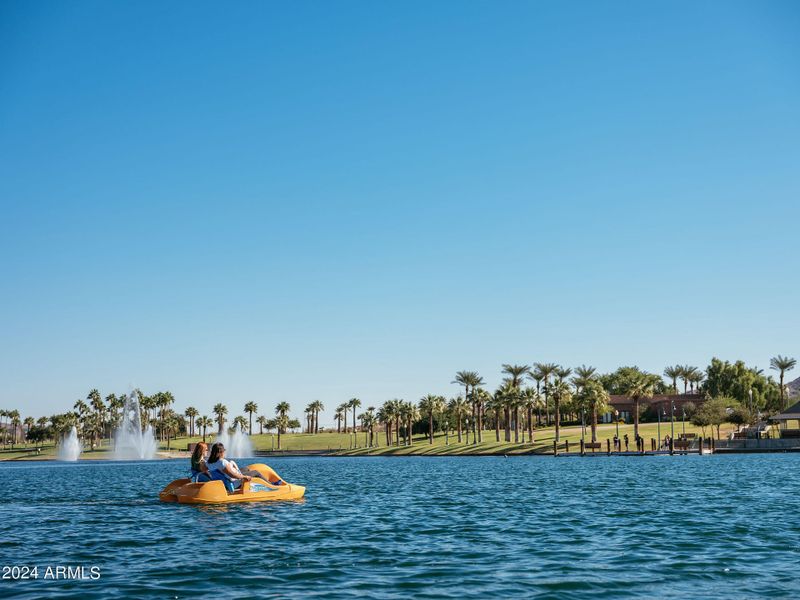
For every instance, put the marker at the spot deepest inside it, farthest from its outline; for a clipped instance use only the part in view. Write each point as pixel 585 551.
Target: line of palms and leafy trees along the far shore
pixel 529 397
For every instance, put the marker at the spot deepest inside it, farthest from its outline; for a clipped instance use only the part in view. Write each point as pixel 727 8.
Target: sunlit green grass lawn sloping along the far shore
pixel 341 443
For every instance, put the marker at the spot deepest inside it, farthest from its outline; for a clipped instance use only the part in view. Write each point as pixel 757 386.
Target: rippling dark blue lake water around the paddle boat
pixel 710 527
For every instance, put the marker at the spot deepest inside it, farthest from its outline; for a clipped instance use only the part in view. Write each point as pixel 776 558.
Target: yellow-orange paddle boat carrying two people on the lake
pixel 268 487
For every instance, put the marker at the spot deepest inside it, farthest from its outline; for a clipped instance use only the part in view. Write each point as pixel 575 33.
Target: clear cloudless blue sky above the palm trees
pixel 318 200
